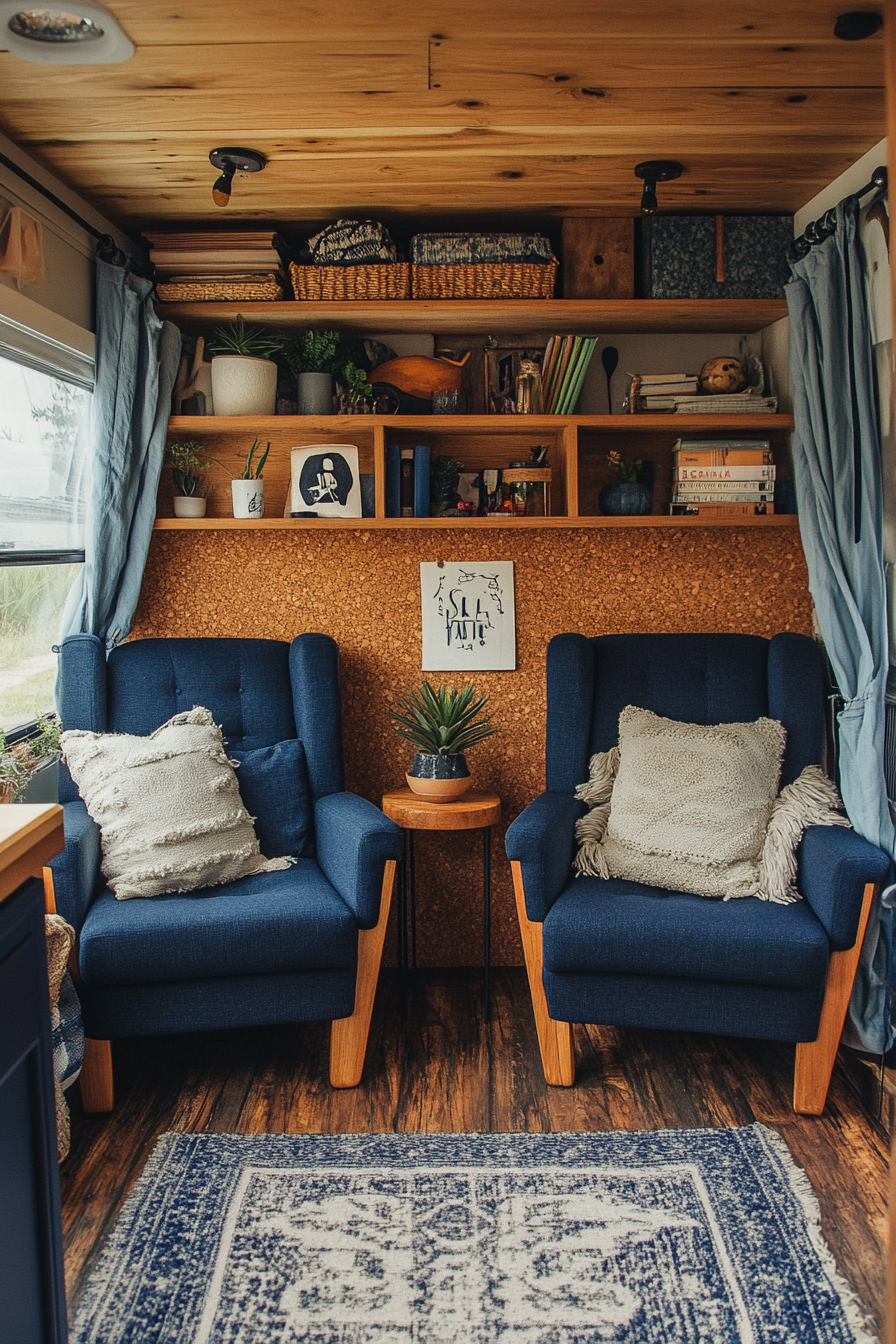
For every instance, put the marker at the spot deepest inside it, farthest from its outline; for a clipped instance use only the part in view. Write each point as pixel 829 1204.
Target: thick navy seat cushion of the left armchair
pixel 269 923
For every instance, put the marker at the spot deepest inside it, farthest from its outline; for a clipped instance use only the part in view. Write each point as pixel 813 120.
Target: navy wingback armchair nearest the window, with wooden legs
pixel 299 946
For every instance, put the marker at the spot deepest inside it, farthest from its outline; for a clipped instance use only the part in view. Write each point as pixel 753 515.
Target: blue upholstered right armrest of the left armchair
pixel 354 843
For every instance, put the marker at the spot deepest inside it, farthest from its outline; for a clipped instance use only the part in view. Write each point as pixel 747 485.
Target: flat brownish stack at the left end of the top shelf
pixel 204 267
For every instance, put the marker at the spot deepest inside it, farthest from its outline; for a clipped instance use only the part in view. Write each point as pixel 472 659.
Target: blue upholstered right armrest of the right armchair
pixel 834 870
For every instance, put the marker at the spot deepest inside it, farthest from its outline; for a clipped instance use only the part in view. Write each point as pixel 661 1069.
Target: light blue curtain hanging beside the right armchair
pixel 838 474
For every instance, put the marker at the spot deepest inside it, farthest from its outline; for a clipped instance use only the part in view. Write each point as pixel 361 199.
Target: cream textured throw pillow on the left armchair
pixel 169 807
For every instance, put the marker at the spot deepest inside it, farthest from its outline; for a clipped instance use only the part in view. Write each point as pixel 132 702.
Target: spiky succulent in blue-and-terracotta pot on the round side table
pixel 441 725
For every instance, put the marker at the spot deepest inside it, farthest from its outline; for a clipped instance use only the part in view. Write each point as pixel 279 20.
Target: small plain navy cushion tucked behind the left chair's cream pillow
pixel 273 784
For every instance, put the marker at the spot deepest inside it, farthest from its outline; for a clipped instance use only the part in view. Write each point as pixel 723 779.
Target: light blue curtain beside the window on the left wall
pixel 138 358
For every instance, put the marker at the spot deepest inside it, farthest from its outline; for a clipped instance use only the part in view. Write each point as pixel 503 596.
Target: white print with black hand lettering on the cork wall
pixel 469 618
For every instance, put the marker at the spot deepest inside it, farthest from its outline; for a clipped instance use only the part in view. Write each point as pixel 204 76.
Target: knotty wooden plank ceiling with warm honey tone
pixel 482 110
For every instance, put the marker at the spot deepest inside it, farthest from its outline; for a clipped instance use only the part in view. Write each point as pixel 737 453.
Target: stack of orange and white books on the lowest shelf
pixel 722 478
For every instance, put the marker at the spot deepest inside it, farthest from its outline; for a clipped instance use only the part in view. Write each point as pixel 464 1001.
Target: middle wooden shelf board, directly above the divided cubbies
pixel 521 425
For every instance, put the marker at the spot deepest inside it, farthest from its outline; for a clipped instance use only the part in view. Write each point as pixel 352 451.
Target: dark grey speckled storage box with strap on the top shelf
pixel 678 256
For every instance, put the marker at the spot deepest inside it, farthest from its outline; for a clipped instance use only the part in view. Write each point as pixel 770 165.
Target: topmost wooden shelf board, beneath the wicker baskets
pixel 486 317
